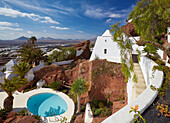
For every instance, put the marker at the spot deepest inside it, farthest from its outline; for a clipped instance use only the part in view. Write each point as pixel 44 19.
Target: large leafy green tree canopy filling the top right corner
pixel 151 17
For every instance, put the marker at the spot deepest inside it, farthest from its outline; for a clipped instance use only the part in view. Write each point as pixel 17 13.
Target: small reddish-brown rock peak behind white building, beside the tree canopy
pixel 130 28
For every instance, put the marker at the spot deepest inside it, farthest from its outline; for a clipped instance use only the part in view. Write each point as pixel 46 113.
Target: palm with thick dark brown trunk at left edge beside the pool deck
pixel 10 86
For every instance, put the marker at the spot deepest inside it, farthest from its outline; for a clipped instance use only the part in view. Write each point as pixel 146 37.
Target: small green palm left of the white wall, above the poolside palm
pixel 21 69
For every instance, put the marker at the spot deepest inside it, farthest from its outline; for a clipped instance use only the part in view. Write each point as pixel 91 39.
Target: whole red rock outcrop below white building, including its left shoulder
pixel 103 78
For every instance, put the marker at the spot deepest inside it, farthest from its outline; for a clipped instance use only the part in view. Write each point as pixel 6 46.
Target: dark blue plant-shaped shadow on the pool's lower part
pixel 53 111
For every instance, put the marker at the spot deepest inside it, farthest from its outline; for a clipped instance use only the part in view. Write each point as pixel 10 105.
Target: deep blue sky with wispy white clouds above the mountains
pixel 66 19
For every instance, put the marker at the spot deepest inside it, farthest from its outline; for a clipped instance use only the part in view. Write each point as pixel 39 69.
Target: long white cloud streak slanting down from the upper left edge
pixel 15 13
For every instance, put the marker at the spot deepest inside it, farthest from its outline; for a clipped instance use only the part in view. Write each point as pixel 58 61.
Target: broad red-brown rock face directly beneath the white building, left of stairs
pixel 106 78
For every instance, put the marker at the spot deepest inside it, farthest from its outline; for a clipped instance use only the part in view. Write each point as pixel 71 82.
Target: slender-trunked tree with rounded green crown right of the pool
pixel 79 87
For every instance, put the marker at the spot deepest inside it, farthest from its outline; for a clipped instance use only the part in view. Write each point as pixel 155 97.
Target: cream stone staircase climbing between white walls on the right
pixel 140 86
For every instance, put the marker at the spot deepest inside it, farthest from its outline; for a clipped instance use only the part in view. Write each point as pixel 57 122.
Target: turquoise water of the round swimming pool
pixel 46 104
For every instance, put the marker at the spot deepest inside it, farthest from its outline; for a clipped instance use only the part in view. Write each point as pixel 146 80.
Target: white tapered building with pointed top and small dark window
pixel 106 48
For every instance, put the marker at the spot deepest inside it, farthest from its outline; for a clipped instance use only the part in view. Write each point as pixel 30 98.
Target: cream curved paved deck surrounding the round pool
pixel 20 102
